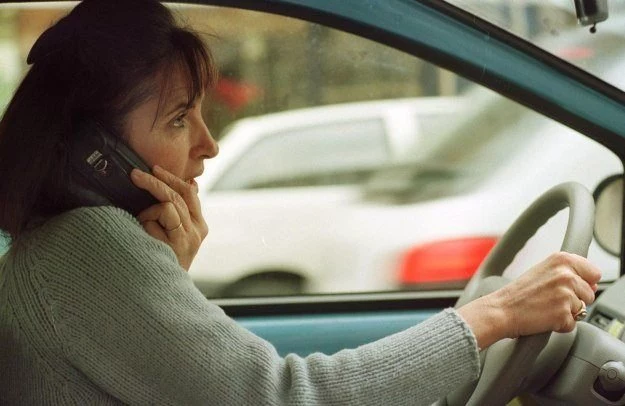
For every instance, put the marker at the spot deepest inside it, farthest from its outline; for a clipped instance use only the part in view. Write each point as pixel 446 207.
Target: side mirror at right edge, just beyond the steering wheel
pixel 609 214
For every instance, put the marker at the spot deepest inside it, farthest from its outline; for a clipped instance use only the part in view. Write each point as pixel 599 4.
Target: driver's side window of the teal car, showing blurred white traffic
pixel 427 169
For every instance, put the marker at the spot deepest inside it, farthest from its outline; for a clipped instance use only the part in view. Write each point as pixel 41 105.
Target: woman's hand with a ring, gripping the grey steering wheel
pixel 545 298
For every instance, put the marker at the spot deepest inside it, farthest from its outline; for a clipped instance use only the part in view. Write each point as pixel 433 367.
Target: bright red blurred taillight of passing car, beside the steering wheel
pixel 445 261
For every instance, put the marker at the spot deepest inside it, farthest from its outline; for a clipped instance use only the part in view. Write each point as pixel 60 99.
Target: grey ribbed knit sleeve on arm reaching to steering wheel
pixel 132 321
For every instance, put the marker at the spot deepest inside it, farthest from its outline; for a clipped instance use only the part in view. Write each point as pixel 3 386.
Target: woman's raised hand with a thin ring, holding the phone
pixel 177 220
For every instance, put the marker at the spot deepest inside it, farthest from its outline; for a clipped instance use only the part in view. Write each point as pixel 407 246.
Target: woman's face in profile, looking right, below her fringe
pixel 178 139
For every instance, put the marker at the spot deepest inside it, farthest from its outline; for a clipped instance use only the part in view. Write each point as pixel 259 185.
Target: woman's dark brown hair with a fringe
pixel 99 62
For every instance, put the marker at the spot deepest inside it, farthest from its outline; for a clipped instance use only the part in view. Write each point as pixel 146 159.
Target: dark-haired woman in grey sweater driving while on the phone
pixel 95 303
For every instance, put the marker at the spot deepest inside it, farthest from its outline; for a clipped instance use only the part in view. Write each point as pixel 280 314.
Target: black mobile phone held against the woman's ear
pixel 100 170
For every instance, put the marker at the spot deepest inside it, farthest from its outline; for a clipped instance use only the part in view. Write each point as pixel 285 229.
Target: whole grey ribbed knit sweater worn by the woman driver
pixel 95 311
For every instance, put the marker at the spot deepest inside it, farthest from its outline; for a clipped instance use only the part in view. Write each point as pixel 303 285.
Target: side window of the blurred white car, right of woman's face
pixel 320 154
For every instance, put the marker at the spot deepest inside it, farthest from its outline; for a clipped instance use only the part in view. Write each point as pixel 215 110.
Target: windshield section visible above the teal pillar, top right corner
pixel 552 25
